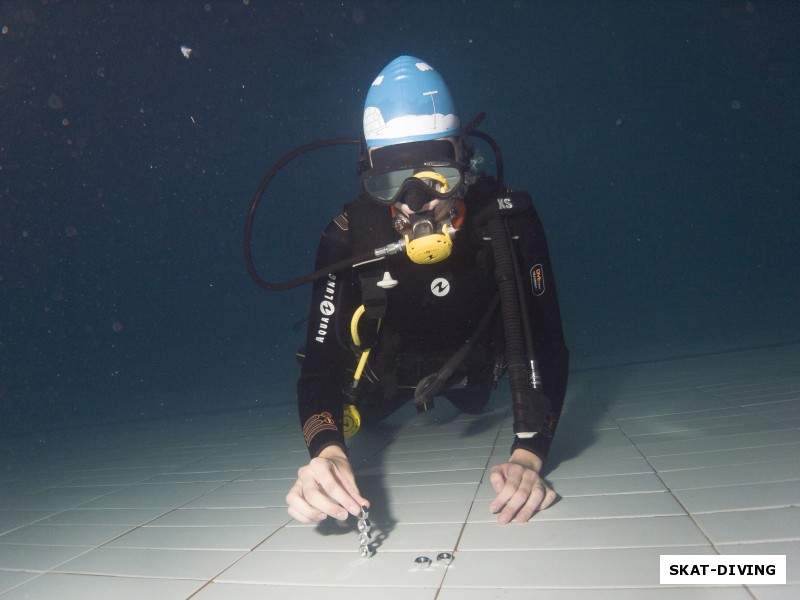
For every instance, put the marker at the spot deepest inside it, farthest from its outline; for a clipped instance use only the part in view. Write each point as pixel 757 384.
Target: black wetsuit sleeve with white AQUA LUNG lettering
pixel 328 357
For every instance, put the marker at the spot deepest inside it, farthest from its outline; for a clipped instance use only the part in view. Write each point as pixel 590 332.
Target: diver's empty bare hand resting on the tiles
pixel 520 490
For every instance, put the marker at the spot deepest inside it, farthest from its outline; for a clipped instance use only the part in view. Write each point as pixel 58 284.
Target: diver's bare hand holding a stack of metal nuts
pixel 325 487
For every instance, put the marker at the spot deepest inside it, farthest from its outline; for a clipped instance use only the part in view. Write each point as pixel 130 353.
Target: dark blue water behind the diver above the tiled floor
pixel 659 139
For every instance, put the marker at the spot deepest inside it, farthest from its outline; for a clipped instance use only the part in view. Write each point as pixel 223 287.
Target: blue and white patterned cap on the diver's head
pixel 408 102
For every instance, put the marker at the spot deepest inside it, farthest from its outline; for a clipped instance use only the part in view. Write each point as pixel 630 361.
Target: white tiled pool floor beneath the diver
pixel 694 456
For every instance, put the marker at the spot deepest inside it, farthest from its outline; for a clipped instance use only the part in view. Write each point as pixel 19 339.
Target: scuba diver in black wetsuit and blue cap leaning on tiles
pixel 451 289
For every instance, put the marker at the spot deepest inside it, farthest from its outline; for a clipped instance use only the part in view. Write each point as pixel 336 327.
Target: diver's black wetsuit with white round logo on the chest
pixel 432 311
